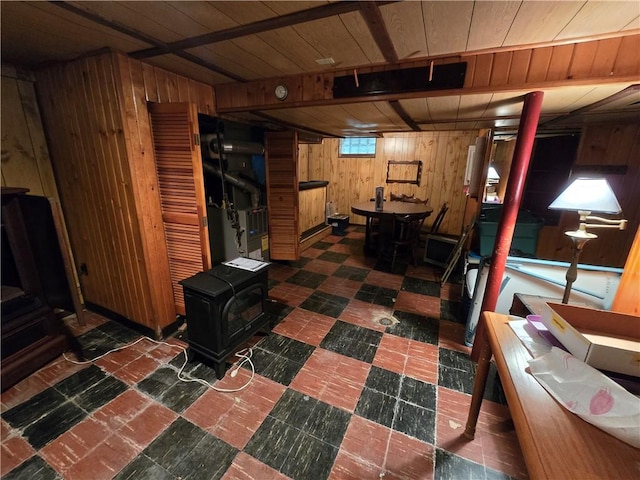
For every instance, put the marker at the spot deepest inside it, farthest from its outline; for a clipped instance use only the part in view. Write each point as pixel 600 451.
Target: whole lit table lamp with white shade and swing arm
pixel 586 195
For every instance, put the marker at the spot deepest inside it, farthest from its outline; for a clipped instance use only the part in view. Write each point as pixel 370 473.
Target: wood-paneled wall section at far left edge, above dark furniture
pixel 25 156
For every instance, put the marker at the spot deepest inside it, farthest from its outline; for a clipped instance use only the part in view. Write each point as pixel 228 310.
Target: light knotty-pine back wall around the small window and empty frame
pixel 444 157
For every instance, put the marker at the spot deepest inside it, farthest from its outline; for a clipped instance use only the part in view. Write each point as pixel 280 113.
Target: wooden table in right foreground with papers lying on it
pixel 556 444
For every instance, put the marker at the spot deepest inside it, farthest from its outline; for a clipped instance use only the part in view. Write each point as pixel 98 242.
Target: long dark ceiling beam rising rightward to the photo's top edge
pixel 295 18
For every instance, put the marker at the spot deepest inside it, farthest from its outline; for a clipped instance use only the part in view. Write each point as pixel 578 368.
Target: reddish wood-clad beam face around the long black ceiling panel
pixel 500 72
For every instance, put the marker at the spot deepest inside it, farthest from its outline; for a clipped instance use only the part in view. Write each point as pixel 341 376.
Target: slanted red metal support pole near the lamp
pixel 510 208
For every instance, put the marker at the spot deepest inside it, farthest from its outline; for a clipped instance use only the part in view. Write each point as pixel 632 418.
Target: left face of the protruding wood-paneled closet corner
pixel 81 113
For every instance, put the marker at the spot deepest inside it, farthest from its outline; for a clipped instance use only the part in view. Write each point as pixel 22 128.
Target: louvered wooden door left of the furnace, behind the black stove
pixel 176 145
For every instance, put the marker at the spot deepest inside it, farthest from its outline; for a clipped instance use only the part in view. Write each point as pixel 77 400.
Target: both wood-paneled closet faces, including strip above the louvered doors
pixel 96 119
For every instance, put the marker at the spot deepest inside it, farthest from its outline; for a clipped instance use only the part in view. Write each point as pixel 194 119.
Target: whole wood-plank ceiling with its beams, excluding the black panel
pixel 242 46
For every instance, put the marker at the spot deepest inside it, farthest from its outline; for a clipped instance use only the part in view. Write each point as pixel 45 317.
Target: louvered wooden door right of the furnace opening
pixel 281 149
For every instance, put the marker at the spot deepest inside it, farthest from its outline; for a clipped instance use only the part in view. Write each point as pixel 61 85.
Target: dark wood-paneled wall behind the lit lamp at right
pixel 603 145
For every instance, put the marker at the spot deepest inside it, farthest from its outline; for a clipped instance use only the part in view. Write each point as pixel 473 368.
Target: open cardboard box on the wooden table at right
pixel 605 340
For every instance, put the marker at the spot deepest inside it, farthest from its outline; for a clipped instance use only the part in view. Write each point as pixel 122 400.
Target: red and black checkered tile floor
pixel 364 376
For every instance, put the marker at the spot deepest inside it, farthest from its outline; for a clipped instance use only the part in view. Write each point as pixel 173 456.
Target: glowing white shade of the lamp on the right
pixel 587 194
